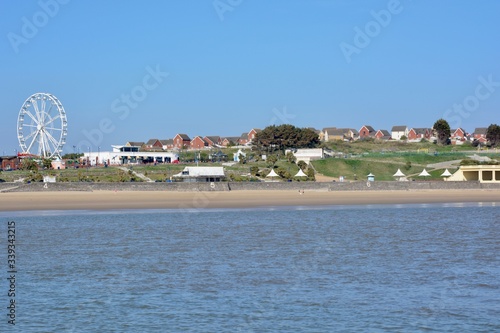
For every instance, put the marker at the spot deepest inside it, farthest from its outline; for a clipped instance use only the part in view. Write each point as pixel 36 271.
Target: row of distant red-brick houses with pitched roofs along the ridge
pixel 414 134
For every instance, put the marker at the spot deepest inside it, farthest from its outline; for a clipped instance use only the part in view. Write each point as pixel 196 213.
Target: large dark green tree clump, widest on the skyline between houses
pixel 273 138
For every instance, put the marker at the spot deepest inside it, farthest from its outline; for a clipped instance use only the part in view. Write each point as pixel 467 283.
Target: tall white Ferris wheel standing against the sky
pixel 42 126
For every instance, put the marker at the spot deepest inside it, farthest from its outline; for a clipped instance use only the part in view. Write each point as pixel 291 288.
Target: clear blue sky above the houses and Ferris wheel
pixel 234 65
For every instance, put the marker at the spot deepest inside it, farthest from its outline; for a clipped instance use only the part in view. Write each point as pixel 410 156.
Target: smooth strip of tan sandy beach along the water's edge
pixel 111 200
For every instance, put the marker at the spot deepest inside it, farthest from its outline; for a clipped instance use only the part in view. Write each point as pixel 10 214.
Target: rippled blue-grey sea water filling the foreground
pixel 405 268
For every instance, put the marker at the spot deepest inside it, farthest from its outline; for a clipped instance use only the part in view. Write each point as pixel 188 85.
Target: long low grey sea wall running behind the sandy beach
pixel 249 186
